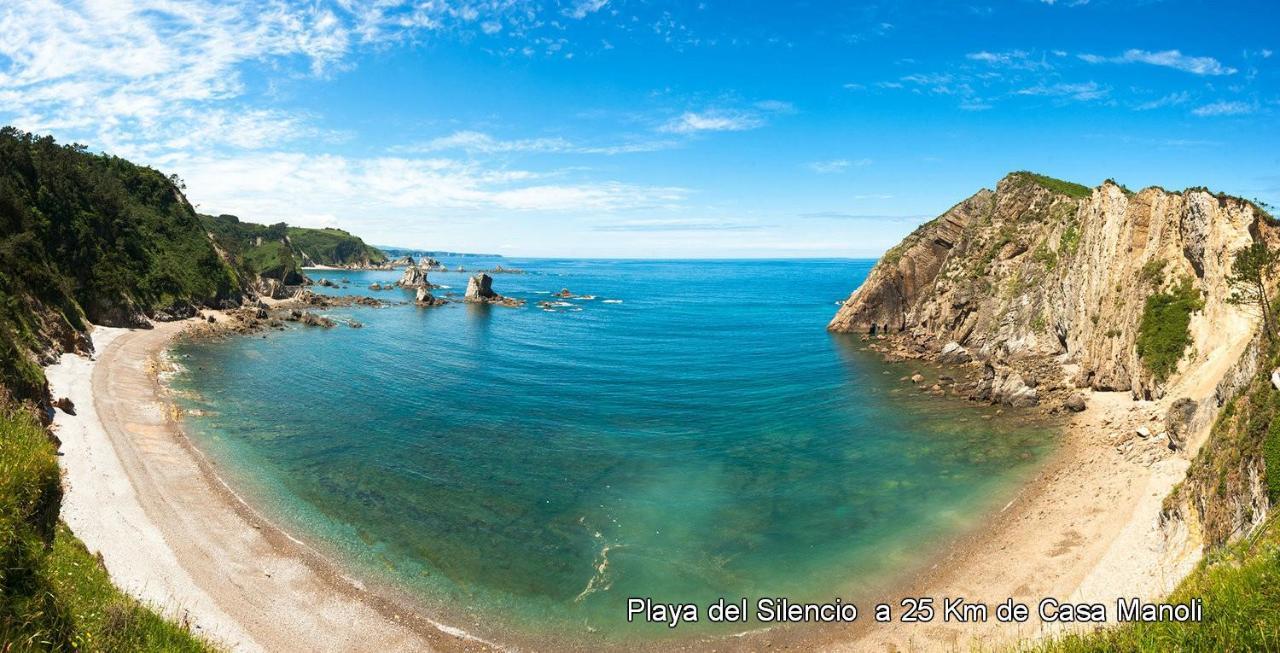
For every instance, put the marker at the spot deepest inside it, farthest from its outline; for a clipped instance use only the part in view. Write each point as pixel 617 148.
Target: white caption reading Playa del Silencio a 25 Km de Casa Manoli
pixel 778 610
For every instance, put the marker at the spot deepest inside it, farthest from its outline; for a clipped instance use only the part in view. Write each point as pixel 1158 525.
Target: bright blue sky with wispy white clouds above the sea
pixel 648 129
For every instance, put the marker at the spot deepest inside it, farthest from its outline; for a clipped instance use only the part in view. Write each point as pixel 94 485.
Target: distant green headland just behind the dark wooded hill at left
pixel 278 252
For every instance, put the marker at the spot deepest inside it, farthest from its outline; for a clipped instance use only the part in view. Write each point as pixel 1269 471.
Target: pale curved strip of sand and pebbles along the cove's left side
pixel 175 536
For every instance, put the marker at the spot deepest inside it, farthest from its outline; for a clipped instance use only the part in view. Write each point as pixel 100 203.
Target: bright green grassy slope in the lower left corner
pixel 54 595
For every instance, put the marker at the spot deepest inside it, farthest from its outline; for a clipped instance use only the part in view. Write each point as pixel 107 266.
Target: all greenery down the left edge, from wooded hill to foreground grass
pixel 84 239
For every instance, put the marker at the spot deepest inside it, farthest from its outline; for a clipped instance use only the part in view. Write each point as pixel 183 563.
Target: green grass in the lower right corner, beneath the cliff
pixel 1241 588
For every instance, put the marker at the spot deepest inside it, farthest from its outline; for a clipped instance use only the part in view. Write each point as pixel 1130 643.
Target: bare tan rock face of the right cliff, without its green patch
pixel 1044 270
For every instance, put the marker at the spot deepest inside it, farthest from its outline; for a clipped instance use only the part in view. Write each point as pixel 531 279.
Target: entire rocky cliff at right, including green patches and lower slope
pixel 1045 285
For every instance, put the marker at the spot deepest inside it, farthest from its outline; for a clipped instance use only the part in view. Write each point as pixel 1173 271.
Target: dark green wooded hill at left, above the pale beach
pixel 90 238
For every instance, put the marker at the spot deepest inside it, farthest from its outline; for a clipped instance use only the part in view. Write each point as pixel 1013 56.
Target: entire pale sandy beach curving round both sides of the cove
pixel 173 535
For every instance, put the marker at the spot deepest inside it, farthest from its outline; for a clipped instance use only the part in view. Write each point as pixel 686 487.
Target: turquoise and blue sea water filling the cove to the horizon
pixel 698 436
